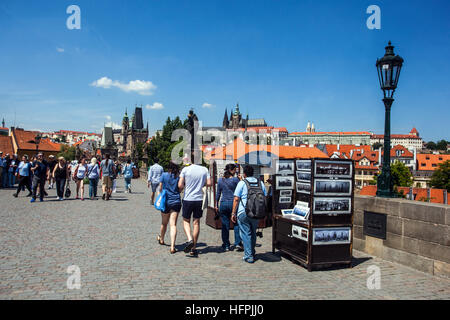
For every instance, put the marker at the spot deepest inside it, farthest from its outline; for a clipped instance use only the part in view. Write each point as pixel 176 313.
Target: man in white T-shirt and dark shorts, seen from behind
pixel 192 179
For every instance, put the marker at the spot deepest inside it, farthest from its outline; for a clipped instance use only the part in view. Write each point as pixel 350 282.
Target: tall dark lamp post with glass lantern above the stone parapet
pixel 388 69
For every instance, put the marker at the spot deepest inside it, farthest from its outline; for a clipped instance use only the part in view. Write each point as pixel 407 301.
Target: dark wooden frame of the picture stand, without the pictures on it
pixel 304 252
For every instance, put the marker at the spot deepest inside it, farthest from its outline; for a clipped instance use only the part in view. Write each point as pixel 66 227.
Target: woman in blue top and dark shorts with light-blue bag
pixel 169 183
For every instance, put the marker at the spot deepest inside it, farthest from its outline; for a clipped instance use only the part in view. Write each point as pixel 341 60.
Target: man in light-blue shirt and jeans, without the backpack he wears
pixel 247 226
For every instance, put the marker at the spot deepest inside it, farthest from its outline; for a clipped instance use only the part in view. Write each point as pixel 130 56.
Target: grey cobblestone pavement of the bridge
pixel 114 245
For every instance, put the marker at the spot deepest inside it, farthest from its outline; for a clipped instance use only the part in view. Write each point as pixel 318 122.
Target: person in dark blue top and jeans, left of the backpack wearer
pixel 225 193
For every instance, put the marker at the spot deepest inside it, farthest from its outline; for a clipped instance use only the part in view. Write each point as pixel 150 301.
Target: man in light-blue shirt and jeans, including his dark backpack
pixel 249 206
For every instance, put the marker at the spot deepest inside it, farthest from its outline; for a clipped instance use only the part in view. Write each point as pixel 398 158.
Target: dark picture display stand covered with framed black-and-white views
pixel 313 211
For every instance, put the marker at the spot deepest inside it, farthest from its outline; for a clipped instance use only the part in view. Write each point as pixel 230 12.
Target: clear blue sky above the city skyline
pixel 289 62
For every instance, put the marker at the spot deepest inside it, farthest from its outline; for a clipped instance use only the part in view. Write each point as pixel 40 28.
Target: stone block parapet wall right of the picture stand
pixel 417 233
